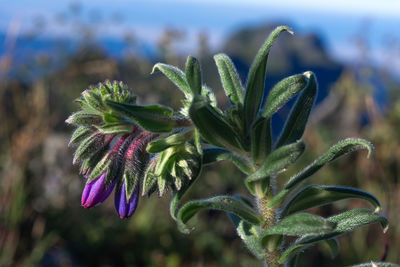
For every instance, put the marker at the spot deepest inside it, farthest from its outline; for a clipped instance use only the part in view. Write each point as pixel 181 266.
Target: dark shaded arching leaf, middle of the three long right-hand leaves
pixel 317 195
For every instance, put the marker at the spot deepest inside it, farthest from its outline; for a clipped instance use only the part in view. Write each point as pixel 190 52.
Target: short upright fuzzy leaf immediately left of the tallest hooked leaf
pixel 230 79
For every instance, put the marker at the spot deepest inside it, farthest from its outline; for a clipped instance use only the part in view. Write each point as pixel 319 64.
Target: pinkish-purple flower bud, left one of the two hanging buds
pixel 95 192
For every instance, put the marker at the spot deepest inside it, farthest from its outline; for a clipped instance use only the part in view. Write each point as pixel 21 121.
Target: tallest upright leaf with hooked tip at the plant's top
pixel 256 78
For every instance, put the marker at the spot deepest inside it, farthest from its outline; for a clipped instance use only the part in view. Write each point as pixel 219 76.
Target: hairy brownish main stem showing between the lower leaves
pixel 272 252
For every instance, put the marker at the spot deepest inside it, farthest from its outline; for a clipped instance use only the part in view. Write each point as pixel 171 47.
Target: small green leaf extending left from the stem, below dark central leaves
pixel 214 154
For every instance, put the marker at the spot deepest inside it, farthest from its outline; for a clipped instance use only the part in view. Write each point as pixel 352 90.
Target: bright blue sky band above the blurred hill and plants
pixel 337 20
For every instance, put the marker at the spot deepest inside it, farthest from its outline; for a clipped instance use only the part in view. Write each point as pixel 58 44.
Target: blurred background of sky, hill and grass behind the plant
pixel 50 51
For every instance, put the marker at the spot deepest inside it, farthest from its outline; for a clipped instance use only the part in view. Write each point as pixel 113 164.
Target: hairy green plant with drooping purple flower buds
pixel 142 149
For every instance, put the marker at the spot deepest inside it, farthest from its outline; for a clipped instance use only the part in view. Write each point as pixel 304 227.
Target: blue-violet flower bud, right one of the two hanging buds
pixel 124 207
